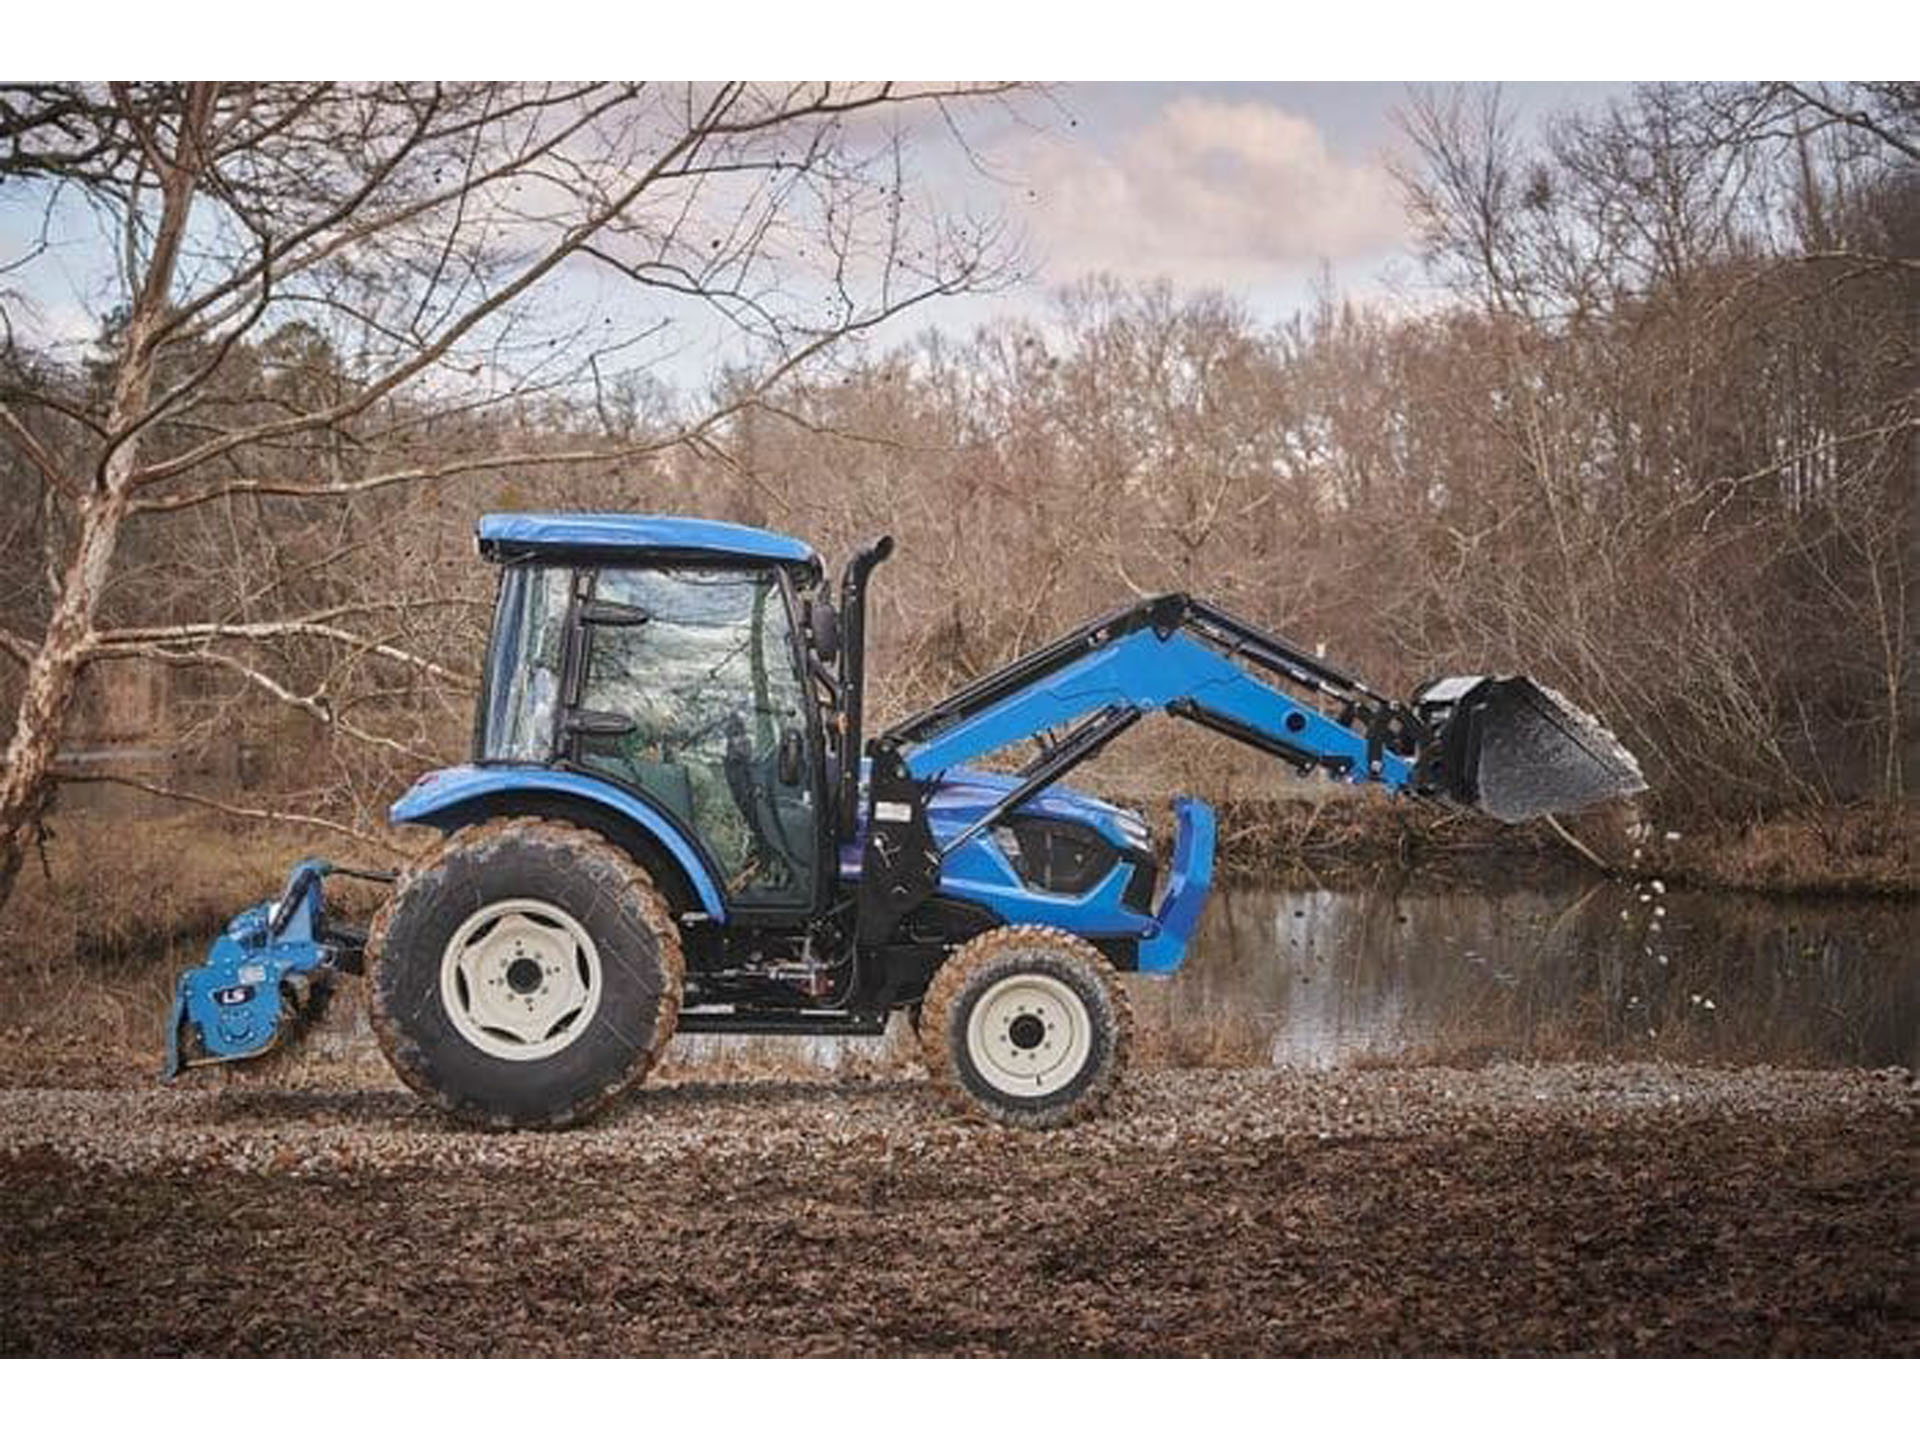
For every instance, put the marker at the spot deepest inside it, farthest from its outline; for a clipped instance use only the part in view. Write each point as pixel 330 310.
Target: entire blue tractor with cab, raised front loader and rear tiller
pixel 671 825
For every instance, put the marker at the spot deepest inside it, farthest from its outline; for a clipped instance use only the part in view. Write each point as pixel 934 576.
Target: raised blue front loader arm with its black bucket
pixel 1506 748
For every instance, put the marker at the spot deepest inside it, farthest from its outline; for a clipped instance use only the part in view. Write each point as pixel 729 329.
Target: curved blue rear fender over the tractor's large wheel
pixel 456 798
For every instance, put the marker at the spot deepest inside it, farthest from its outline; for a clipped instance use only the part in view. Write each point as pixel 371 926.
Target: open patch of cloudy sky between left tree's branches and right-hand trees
pixel 1251 189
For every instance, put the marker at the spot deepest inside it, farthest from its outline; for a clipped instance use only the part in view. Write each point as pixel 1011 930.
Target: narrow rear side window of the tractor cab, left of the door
pixel 525 665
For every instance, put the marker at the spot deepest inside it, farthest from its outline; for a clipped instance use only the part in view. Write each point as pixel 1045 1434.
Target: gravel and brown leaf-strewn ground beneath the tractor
pixel 1506 1211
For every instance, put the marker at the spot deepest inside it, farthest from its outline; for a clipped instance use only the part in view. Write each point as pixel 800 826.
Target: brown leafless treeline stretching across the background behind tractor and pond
pixel 1648 435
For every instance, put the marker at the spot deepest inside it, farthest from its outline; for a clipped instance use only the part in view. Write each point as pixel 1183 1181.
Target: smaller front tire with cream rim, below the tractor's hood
pixel 1028 1026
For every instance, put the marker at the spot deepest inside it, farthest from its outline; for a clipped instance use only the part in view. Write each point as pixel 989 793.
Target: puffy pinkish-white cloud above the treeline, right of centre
pixel 1209 193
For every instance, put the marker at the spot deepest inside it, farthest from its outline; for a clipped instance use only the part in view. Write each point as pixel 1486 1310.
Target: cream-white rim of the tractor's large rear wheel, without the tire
pixel 521 980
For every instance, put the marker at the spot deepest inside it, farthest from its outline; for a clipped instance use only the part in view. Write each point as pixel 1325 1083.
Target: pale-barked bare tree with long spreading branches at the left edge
pixel 462 256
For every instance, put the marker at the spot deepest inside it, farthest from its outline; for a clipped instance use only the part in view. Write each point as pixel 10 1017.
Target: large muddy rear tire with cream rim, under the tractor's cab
pixel 525 976
